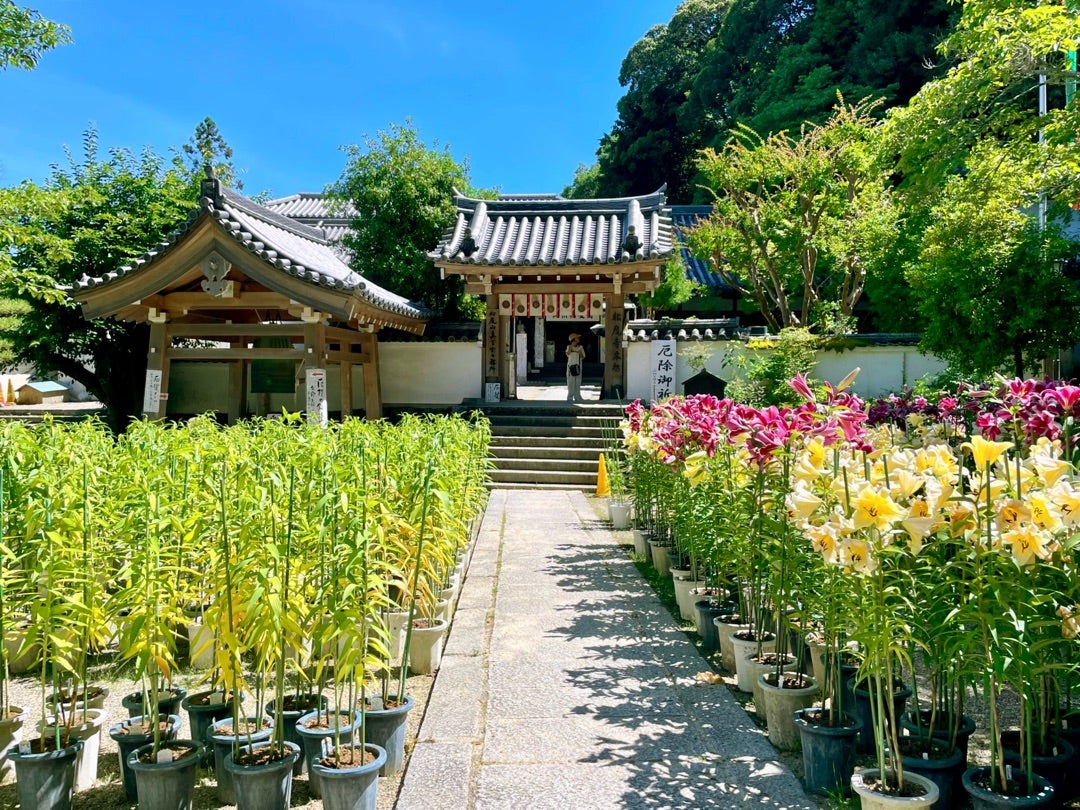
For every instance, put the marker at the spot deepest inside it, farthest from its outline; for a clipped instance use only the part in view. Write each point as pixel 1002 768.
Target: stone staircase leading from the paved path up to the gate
pixel 545 445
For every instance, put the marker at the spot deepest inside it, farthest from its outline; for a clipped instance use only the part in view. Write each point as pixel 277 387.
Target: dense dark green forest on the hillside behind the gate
pixel 771 65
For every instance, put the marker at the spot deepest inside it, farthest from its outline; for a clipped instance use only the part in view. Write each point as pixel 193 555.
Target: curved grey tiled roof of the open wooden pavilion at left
pixel 293 248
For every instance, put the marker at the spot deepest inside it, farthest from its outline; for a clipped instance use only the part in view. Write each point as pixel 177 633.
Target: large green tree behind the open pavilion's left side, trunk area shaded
pixel 87 220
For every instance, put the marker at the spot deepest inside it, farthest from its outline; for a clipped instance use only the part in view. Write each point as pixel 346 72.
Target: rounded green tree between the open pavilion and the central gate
pixel 403 194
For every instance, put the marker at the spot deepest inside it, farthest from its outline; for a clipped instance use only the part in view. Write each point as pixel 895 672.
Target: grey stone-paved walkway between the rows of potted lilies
pixel 565 684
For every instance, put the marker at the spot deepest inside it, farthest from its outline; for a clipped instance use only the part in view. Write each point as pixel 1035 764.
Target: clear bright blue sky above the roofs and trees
pixel 524 91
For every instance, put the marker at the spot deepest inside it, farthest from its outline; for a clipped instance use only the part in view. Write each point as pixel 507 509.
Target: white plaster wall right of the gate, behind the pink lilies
pixel 883 369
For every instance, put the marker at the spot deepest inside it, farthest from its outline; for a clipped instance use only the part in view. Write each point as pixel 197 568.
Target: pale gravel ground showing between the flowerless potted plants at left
pixel 109 794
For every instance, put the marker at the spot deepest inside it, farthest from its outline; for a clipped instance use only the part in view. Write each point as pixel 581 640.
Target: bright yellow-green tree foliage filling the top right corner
pixel 998 55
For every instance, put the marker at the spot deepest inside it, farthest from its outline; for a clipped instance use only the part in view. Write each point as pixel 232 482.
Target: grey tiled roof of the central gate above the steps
pixel 549 229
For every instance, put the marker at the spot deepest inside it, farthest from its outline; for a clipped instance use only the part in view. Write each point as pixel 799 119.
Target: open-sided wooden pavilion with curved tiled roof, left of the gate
pixel 240 283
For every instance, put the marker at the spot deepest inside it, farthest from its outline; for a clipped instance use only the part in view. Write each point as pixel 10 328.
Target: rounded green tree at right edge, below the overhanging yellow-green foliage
pixel 992 291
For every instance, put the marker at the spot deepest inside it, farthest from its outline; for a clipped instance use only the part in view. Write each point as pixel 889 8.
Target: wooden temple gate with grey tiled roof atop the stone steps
pixel 543 254
